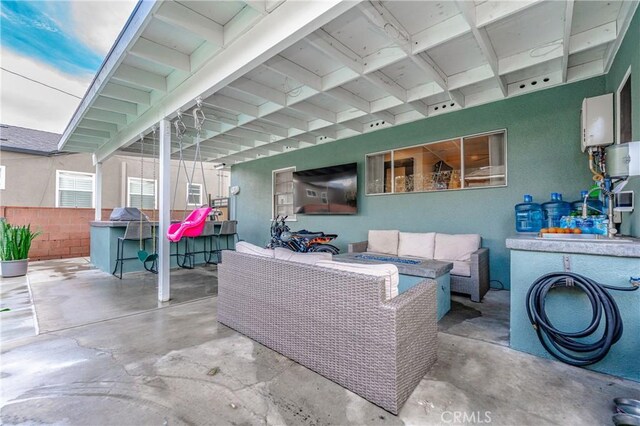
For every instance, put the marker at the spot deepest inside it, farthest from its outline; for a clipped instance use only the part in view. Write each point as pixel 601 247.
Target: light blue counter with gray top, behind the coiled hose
pixel 607 261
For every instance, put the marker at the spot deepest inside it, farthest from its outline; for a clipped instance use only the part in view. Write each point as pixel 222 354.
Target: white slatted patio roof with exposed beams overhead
pixel 276 76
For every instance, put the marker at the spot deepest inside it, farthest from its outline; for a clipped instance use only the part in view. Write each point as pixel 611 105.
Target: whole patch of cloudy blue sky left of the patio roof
pixel 60 44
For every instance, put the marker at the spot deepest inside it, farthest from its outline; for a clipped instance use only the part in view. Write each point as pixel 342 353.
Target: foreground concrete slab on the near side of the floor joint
pixel 176 365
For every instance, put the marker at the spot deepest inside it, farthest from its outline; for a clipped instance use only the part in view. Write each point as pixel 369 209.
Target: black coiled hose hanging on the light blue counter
pixel 559 343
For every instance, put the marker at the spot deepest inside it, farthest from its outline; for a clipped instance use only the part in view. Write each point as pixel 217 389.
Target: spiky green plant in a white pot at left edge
pixel 15 242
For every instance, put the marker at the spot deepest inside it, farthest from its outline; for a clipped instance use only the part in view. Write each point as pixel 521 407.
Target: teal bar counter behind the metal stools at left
pixel 104 243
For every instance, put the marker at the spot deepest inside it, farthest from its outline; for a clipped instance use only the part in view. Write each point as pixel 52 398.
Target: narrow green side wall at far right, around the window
pixel 629 56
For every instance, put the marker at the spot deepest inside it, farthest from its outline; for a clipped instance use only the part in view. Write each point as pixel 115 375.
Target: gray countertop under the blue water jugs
pixel 602 247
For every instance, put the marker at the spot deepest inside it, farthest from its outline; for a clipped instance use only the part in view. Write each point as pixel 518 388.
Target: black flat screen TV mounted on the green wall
pixel 327 190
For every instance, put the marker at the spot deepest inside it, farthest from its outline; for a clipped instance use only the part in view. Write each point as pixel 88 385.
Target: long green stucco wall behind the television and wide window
pixel 543 155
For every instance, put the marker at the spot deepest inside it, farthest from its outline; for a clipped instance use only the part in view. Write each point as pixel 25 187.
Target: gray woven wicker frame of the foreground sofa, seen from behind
pixel 334 322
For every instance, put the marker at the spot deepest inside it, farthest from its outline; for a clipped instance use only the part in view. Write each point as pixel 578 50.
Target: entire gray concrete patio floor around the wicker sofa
pixel 109 354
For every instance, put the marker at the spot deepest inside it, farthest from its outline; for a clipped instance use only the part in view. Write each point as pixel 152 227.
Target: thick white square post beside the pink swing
pixel 164 249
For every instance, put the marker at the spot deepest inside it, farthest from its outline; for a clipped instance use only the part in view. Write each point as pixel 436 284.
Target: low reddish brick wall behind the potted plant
pixel 65 231
